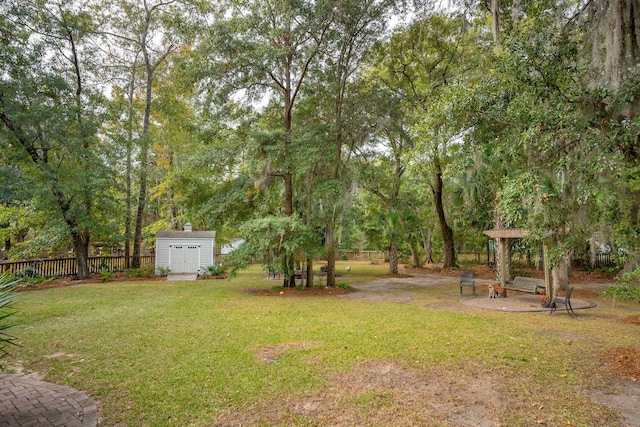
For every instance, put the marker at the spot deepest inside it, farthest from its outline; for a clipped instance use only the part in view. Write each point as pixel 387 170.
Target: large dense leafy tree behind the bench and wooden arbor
pixel 562 120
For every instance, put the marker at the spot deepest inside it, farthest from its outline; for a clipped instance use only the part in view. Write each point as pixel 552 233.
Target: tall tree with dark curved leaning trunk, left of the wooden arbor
pixel 421 64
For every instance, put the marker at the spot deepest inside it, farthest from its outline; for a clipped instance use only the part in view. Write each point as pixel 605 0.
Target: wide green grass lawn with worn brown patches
pixel 209 353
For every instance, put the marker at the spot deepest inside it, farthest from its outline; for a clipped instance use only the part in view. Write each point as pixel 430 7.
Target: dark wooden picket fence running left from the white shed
pixel 60 267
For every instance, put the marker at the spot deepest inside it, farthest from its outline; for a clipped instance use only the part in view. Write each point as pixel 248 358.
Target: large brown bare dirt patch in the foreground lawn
pixel 383 393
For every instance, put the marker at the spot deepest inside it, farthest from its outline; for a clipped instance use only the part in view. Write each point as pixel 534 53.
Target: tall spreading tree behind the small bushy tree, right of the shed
pixel 266 49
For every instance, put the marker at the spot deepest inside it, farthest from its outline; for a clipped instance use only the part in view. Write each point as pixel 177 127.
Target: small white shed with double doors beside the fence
pixel 185 251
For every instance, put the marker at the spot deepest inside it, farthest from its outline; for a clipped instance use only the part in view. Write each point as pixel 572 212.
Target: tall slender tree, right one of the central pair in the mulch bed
pixel 357 26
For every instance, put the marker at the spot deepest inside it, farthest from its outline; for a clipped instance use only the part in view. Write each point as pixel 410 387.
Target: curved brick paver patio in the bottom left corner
pixel 25 402
